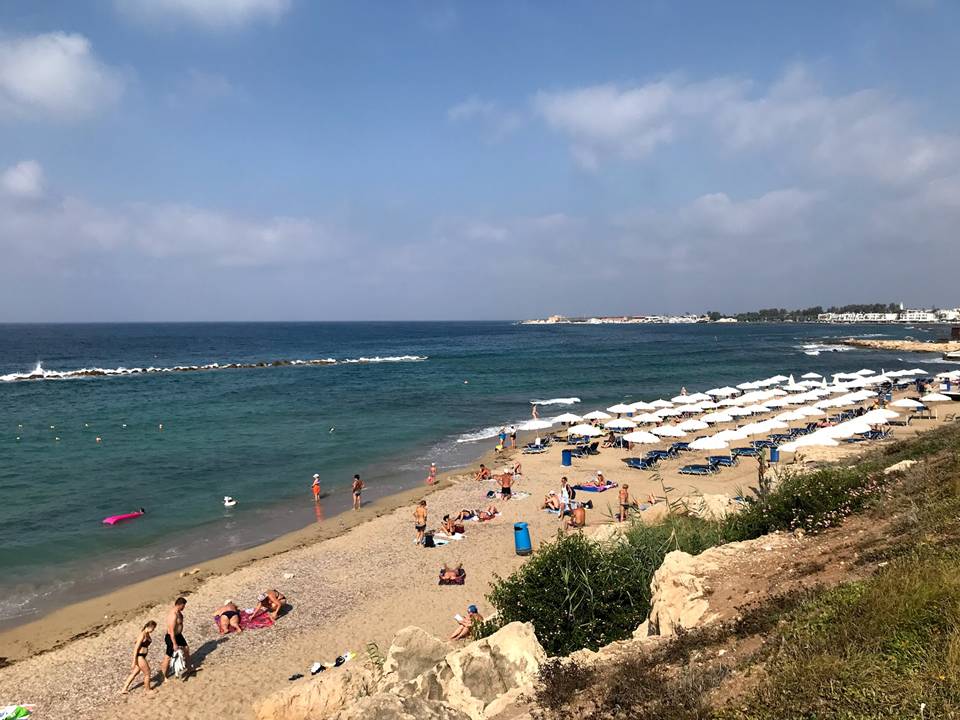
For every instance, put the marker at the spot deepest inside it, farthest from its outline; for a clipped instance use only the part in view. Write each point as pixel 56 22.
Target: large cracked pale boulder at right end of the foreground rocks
pixel 474 676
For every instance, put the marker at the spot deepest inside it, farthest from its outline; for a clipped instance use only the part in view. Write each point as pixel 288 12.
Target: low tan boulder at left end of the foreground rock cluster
pixel 320 696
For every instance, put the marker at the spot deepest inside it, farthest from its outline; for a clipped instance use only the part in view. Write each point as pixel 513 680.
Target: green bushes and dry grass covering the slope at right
pixel 884 645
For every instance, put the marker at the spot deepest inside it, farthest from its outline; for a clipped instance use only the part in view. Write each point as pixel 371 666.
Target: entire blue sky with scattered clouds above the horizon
pixel 432 159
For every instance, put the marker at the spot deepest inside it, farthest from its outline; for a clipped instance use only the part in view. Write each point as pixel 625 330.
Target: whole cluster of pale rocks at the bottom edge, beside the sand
pixel 421 678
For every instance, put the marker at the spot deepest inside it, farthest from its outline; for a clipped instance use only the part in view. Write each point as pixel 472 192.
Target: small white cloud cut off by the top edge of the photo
pixel 210 14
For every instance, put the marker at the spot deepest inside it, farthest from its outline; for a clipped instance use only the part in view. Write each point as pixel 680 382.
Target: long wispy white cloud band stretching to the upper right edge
pixel 866 134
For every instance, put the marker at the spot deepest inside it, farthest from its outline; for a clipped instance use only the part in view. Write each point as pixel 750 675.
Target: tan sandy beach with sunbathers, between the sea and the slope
pixel 352 580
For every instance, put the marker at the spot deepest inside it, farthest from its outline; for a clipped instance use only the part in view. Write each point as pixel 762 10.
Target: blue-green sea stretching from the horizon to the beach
pixel 101 419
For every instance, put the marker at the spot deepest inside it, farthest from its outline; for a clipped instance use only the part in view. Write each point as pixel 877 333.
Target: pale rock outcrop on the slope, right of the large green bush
pixel 682 586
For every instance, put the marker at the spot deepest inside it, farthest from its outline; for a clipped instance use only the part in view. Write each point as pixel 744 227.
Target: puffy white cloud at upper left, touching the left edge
pixel 56 76
